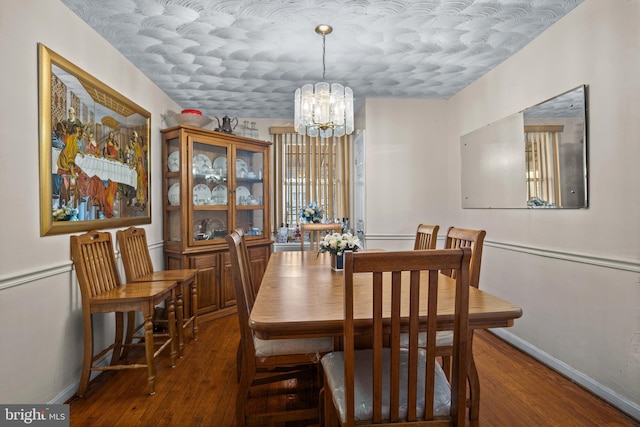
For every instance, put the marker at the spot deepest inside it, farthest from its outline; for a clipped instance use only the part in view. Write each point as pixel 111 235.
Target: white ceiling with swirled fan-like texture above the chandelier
pixel 246 58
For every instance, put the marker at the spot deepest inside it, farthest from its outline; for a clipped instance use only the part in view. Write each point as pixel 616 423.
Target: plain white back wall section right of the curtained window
pixel 405 168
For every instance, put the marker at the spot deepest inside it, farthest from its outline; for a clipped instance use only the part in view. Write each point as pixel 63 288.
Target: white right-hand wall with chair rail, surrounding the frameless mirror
pixel 580 293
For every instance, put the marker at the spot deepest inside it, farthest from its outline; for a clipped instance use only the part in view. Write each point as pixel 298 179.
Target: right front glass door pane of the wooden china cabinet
pixel 249 191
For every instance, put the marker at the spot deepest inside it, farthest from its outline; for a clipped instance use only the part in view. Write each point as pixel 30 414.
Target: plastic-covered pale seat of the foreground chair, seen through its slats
pixel 333 365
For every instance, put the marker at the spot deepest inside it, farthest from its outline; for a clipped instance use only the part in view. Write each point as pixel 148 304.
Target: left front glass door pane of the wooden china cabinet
pixel 209 212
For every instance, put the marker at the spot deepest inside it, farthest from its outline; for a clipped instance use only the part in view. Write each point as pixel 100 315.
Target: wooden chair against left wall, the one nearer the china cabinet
pixel 138 266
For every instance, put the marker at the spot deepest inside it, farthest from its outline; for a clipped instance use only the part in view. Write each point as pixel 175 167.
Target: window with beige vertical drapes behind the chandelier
pixel 309 169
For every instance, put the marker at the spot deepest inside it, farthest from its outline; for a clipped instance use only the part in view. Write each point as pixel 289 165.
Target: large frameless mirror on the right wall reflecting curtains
pixel 536 158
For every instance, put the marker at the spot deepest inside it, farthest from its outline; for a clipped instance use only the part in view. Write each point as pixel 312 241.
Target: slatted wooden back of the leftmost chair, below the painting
pixel 94 259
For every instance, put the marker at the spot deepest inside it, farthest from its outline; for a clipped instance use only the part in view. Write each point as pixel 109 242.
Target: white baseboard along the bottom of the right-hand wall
pixel 620 402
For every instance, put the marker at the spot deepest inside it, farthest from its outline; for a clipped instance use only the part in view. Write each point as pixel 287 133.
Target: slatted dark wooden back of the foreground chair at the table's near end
pixel 400 281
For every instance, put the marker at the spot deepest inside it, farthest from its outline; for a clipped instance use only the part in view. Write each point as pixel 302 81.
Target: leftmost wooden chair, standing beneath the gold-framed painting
pixel 102 292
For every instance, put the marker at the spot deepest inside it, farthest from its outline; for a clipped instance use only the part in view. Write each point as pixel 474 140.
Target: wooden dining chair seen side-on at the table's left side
pixel 267 361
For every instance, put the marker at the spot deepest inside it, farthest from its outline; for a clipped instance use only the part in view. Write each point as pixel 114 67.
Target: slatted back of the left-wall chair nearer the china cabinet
pixel 134 250
